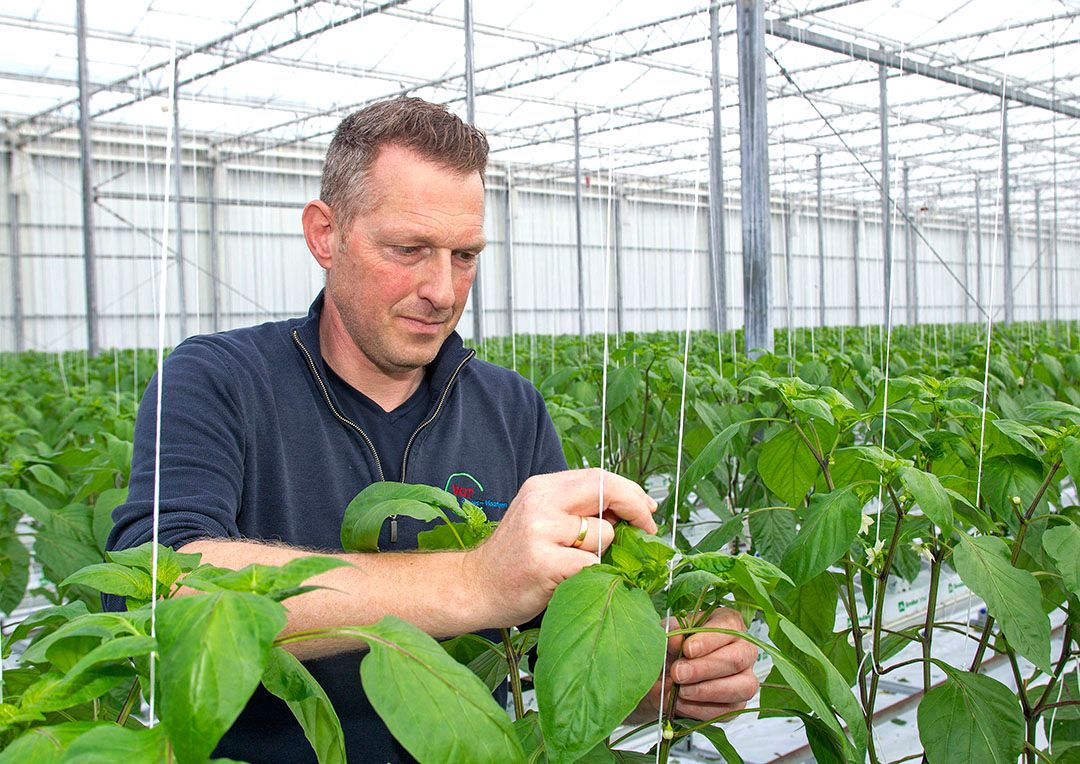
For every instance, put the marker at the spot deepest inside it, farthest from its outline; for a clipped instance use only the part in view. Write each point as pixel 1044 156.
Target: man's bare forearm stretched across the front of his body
pixel 437 592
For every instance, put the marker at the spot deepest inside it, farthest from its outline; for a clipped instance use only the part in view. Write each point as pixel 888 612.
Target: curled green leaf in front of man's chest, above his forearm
pixel 367 513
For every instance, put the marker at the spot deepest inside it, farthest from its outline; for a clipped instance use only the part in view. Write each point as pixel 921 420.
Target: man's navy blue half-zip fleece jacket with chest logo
pixel 254 446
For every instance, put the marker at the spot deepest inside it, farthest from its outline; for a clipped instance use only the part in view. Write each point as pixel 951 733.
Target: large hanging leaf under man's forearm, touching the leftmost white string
pixel 213 652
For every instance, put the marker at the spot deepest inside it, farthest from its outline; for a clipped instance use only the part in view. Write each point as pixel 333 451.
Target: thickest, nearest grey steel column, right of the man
pixel 754 162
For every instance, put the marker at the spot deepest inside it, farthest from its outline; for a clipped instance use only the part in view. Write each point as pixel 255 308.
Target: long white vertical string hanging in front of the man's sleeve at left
pixel 163 297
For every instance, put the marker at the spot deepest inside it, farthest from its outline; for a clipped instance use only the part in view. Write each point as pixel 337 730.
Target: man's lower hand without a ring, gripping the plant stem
pixel 714 674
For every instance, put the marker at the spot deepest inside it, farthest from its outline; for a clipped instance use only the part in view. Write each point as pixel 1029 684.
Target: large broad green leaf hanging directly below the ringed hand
pixel 601 649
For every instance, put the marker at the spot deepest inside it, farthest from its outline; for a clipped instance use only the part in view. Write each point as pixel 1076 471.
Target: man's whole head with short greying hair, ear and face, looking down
pixel 398 230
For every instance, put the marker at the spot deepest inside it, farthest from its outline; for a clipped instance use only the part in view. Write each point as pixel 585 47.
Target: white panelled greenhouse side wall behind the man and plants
pixel 263 271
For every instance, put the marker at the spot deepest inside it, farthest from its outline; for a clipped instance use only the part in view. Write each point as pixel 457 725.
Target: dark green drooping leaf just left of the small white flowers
pixel 832 525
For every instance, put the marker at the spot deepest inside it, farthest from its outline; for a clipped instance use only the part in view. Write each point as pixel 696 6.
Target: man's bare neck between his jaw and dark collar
pixel 389 391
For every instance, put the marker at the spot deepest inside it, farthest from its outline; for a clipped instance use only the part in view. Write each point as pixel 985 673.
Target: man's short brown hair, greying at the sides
pixel 428 129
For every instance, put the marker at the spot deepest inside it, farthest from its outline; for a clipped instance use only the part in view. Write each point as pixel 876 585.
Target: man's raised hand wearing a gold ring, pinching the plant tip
pixel 516 571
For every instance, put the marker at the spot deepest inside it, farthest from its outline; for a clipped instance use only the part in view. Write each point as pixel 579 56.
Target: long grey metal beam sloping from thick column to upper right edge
pixel 894 61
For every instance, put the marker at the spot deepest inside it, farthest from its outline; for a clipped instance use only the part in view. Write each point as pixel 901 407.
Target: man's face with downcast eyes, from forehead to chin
pixel 401 277
